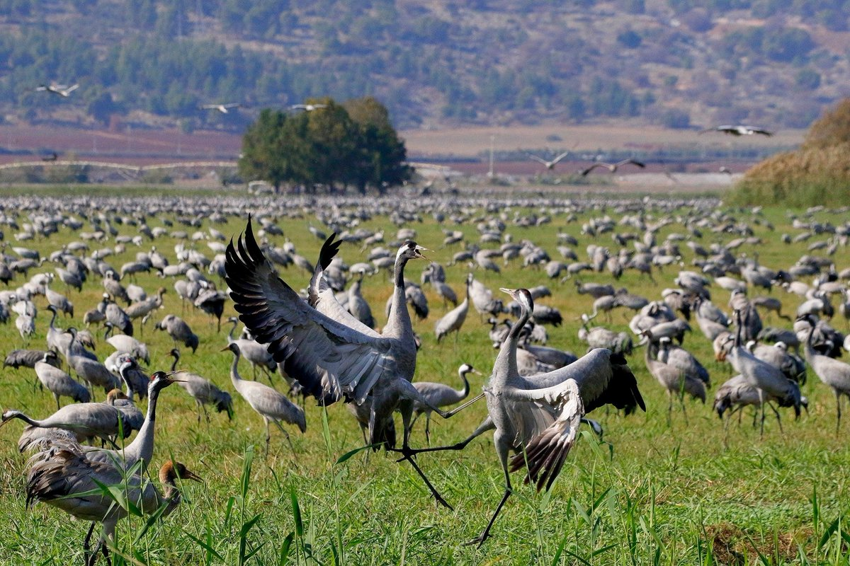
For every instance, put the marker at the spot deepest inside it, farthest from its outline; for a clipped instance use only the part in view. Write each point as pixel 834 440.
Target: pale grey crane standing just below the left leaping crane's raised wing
pixel 267 402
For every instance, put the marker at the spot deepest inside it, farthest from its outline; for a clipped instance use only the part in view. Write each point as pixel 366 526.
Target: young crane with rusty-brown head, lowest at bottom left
pixel 70 482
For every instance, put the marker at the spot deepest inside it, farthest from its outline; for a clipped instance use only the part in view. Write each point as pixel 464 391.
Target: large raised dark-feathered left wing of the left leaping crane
pixel 328 358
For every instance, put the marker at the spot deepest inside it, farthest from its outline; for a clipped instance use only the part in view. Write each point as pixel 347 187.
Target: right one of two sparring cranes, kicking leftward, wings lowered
pixel 538 417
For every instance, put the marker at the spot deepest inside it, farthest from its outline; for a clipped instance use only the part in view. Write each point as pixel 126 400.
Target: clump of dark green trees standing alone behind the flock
pixel 333 146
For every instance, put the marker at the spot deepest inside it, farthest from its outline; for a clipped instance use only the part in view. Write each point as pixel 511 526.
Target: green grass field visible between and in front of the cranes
pixel 648 494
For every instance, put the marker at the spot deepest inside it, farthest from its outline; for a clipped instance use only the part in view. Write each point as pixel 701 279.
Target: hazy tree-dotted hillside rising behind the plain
pixel 673 63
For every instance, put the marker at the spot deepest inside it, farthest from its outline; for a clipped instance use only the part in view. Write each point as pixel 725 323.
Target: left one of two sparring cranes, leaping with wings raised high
pixel 328 351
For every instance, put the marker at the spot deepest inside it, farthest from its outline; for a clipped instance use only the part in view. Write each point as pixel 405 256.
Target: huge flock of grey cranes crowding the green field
pixel 322 342
